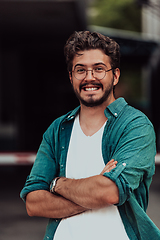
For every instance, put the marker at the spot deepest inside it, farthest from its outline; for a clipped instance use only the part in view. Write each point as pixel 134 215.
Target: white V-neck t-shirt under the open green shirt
pixel 85 159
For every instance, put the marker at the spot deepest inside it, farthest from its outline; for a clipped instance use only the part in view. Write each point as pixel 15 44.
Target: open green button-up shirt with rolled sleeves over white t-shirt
pixel 128 138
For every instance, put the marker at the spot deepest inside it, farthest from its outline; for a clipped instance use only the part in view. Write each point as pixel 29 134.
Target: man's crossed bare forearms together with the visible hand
pixel 75 196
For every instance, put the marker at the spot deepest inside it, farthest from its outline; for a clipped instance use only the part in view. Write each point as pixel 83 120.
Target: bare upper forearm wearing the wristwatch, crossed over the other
pixel 91 193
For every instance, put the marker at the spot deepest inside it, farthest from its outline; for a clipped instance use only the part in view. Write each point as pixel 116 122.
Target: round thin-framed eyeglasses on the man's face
pixel 98 72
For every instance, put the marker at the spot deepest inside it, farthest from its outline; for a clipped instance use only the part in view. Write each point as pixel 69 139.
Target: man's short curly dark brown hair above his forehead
pixel 86 40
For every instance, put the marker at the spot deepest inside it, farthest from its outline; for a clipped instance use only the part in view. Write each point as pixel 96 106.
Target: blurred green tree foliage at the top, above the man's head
pixel 119 14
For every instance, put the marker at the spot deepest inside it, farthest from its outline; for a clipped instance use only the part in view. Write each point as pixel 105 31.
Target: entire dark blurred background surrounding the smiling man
pixel 35 88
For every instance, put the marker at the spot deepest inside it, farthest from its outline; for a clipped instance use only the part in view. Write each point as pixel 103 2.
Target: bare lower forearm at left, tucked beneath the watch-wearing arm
pixel 42 203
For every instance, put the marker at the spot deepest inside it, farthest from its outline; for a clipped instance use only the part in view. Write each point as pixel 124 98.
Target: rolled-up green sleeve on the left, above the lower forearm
pixel 44 168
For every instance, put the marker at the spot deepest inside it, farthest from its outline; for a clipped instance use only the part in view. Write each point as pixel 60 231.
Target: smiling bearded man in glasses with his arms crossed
pixel 93 170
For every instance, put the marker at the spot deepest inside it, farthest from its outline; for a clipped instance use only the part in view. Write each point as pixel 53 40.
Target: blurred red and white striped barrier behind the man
pixel 26 158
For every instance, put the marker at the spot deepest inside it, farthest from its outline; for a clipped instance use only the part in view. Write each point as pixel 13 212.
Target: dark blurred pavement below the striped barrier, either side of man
pixel 15 224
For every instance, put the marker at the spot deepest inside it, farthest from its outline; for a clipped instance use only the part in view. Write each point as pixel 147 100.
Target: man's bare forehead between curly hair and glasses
pixel 91 57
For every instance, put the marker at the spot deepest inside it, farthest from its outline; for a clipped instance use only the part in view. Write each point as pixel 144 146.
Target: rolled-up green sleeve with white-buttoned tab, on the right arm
pixel 135 153
